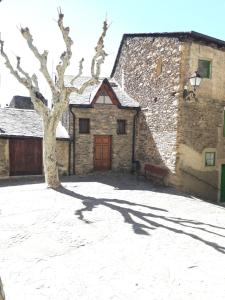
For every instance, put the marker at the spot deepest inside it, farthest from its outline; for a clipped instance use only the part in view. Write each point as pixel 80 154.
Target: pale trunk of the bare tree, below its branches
pixel 49 154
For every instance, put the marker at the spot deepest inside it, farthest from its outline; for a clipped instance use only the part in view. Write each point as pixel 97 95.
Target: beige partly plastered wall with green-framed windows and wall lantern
pixel 201 123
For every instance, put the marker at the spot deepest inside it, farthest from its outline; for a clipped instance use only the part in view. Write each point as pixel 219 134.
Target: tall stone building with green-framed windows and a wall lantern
pixel 183 135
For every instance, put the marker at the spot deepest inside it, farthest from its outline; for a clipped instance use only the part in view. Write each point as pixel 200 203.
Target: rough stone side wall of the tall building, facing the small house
pixel 151 68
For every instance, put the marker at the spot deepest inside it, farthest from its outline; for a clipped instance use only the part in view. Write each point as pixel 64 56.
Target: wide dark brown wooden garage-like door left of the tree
pixel 25 156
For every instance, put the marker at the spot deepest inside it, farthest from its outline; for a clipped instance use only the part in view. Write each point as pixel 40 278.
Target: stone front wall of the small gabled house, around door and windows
pixel 103 121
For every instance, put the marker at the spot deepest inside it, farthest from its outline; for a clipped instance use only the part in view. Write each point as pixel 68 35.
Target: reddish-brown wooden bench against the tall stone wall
pixel 155 173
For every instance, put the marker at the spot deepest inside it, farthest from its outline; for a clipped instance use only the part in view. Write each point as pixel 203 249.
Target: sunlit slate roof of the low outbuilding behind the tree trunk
pixel 24 123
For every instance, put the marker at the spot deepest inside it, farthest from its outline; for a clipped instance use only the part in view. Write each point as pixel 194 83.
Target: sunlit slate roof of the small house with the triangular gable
pixel 86 98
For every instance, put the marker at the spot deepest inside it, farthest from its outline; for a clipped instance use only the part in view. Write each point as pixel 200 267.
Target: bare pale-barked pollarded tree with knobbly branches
pixel 59 92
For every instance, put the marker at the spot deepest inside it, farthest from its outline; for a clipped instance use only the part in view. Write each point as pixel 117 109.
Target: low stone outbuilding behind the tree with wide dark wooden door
pixel 21 143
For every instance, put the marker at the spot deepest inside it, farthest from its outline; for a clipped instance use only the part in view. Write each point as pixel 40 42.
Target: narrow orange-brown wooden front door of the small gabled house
pixel 102 152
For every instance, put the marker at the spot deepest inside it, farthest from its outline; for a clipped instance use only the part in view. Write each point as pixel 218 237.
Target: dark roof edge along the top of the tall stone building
pixel 181 35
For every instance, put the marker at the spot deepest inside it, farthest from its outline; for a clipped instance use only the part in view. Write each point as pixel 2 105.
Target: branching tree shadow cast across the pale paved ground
pixel 144 218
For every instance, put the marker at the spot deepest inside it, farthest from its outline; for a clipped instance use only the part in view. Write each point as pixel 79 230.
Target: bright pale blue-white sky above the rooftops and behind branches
pixel 85 20
